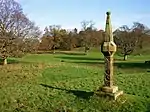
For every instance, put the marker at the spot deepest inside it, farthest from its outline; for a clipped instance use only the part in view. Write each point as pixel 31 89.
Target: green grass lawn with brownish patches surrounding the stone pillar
pixel 66 82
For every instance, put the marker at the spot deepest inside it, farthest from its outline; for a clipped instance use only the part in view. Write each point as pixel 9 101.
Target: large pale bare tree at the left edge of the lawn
pixel 14 28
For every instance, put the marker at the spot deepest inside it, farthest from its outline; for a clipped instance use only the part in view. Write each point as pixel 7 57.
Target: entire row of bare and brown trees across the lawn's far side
pixel 19 35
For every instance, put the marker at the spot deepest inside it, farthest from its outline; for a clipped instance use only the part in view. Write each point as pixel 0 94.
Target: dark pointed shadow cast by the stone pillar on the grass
pixel 78 93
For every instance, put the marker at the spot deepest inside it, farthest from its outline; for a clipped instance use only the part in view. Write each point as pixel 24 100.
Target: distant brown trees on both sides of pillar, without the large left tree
pixel 127 39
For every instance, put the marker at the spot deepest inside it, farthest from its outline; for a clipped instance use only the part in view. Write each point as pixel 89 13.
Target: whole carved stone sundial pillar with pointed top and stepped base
pixel 108 48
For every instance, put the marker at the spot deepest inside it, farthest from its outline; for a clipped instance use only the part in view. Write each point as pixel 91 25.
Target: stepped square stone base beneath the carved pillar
pixel 111 92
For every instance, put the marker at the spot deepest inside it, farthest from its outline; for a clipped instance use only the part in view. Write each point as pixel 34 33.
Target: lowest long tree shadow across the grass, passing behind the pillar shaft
pixel 124 65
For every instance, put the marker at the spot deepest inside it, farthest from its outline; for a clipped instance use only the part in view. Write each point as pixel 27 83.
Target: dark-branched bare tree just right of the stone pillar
pixel 128 39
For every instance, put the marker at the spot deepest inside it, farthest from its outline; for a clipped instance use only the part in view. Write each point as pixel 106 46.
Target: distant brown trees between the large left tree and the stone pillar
pixel 55 37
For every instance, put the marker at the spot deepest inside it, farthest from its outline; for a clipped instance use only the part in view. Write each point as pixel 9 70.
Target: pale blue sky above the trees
pixel 70 13
